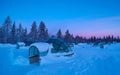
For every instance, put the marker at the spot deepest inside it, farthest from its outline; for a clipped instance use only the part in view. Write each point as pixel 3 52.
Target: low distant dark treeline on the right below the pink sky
pixel 93 39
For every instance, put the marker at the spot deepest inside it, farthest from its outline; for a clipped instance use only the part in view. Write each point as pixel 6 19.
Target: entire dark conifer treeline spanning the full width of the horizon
pixel 10 33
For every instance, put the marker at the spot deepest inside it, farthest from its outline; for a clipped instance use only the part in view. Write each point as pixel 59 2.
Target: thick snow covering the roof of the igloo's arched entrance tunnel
pixel 42 47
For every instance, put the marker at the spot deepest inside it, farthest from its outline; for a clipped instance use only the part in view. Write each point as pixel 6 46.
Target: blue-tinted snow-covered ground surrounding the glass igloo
pixel 87 60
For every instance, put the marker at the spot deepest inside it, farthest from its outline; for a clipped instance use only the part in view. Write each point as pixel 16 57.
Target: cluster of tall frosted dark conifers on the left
pixel 10 33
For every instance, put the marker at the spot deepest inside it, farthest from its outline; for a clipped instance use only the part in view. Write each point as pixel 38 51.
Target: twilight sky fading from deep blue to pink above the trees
pixel 82 17
